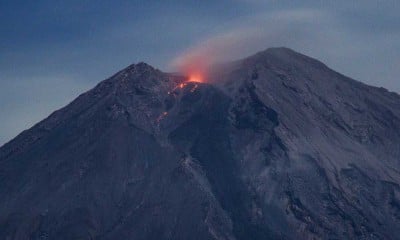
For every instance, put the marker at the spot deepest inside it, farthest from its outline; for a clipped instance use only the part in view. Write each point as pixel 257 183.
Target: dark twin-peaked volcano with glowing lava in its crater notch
pixel 273 146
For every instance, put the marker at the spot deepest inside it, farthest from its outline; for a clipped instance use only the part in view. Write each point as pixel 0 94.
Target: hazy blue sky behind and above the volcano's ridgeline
pixel 50 50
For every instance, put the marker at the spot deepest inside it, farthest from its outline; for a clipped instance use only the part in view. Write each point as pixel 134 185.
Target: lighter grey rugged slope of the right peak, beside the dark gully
pixel 341 140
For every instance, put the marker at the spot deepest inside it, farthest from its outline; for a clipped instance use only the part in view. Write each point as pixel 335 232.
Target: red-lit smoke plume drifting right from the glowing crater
pixel 284 28
